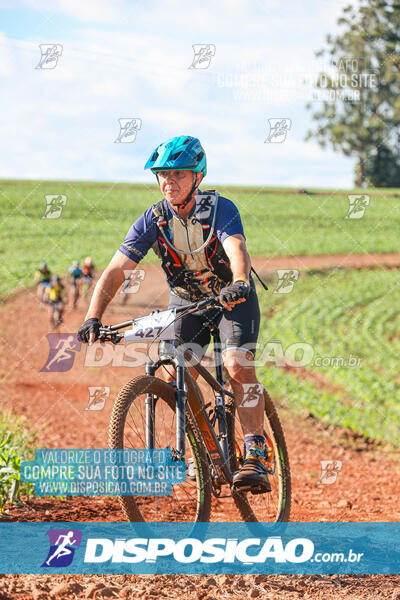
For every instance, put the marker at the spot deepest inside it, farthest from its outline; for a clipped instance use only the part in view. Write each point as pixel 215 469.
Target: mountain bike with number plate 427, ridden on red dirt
pixel 202 430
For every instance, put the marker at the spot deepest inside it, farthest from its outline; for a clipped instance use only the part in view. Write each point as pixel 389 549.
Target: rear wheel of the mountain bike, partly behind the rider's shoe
pixel 272 506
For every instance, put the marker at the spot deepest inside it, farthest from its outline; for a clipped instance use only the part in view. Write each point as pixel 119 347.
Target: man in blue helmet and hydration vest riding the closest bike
pixel 196 265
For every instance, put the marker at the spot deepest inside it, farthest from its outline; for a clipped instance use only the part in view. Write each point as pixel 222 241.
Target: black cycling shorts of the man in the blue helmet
pixel 238 328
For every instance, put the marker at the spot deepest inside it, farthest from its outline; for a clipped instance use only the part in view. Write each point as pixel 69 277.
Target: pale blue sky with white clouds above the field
pixel 131 59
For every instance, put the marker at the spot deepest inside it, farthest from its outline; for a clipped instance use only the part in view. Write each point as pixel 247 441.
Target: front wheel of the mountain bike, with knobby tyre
pixel 190 500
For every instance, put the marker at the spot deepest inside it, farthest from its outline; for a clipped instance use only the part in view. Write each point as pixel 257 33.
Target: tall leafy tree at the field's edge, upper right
pixel 360 110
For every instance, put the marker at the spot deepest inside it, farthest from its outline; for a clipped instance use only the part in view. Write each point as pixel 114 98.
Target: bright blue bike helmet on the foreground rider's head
pixel 181 153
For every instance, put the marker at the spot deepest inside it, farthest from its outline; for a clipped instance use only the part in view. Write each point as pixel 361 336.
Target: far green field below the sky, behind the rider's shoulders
pixel 97 216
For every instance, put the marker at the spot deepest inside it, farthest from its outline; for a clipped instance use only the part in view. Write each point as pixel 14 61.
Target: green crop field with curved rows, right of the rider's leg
pixel 341 314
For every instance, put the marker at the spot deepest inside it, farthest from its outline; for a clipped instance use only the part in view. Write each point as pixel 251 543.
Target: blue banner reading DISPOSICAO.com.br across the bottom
pixel 250 548
